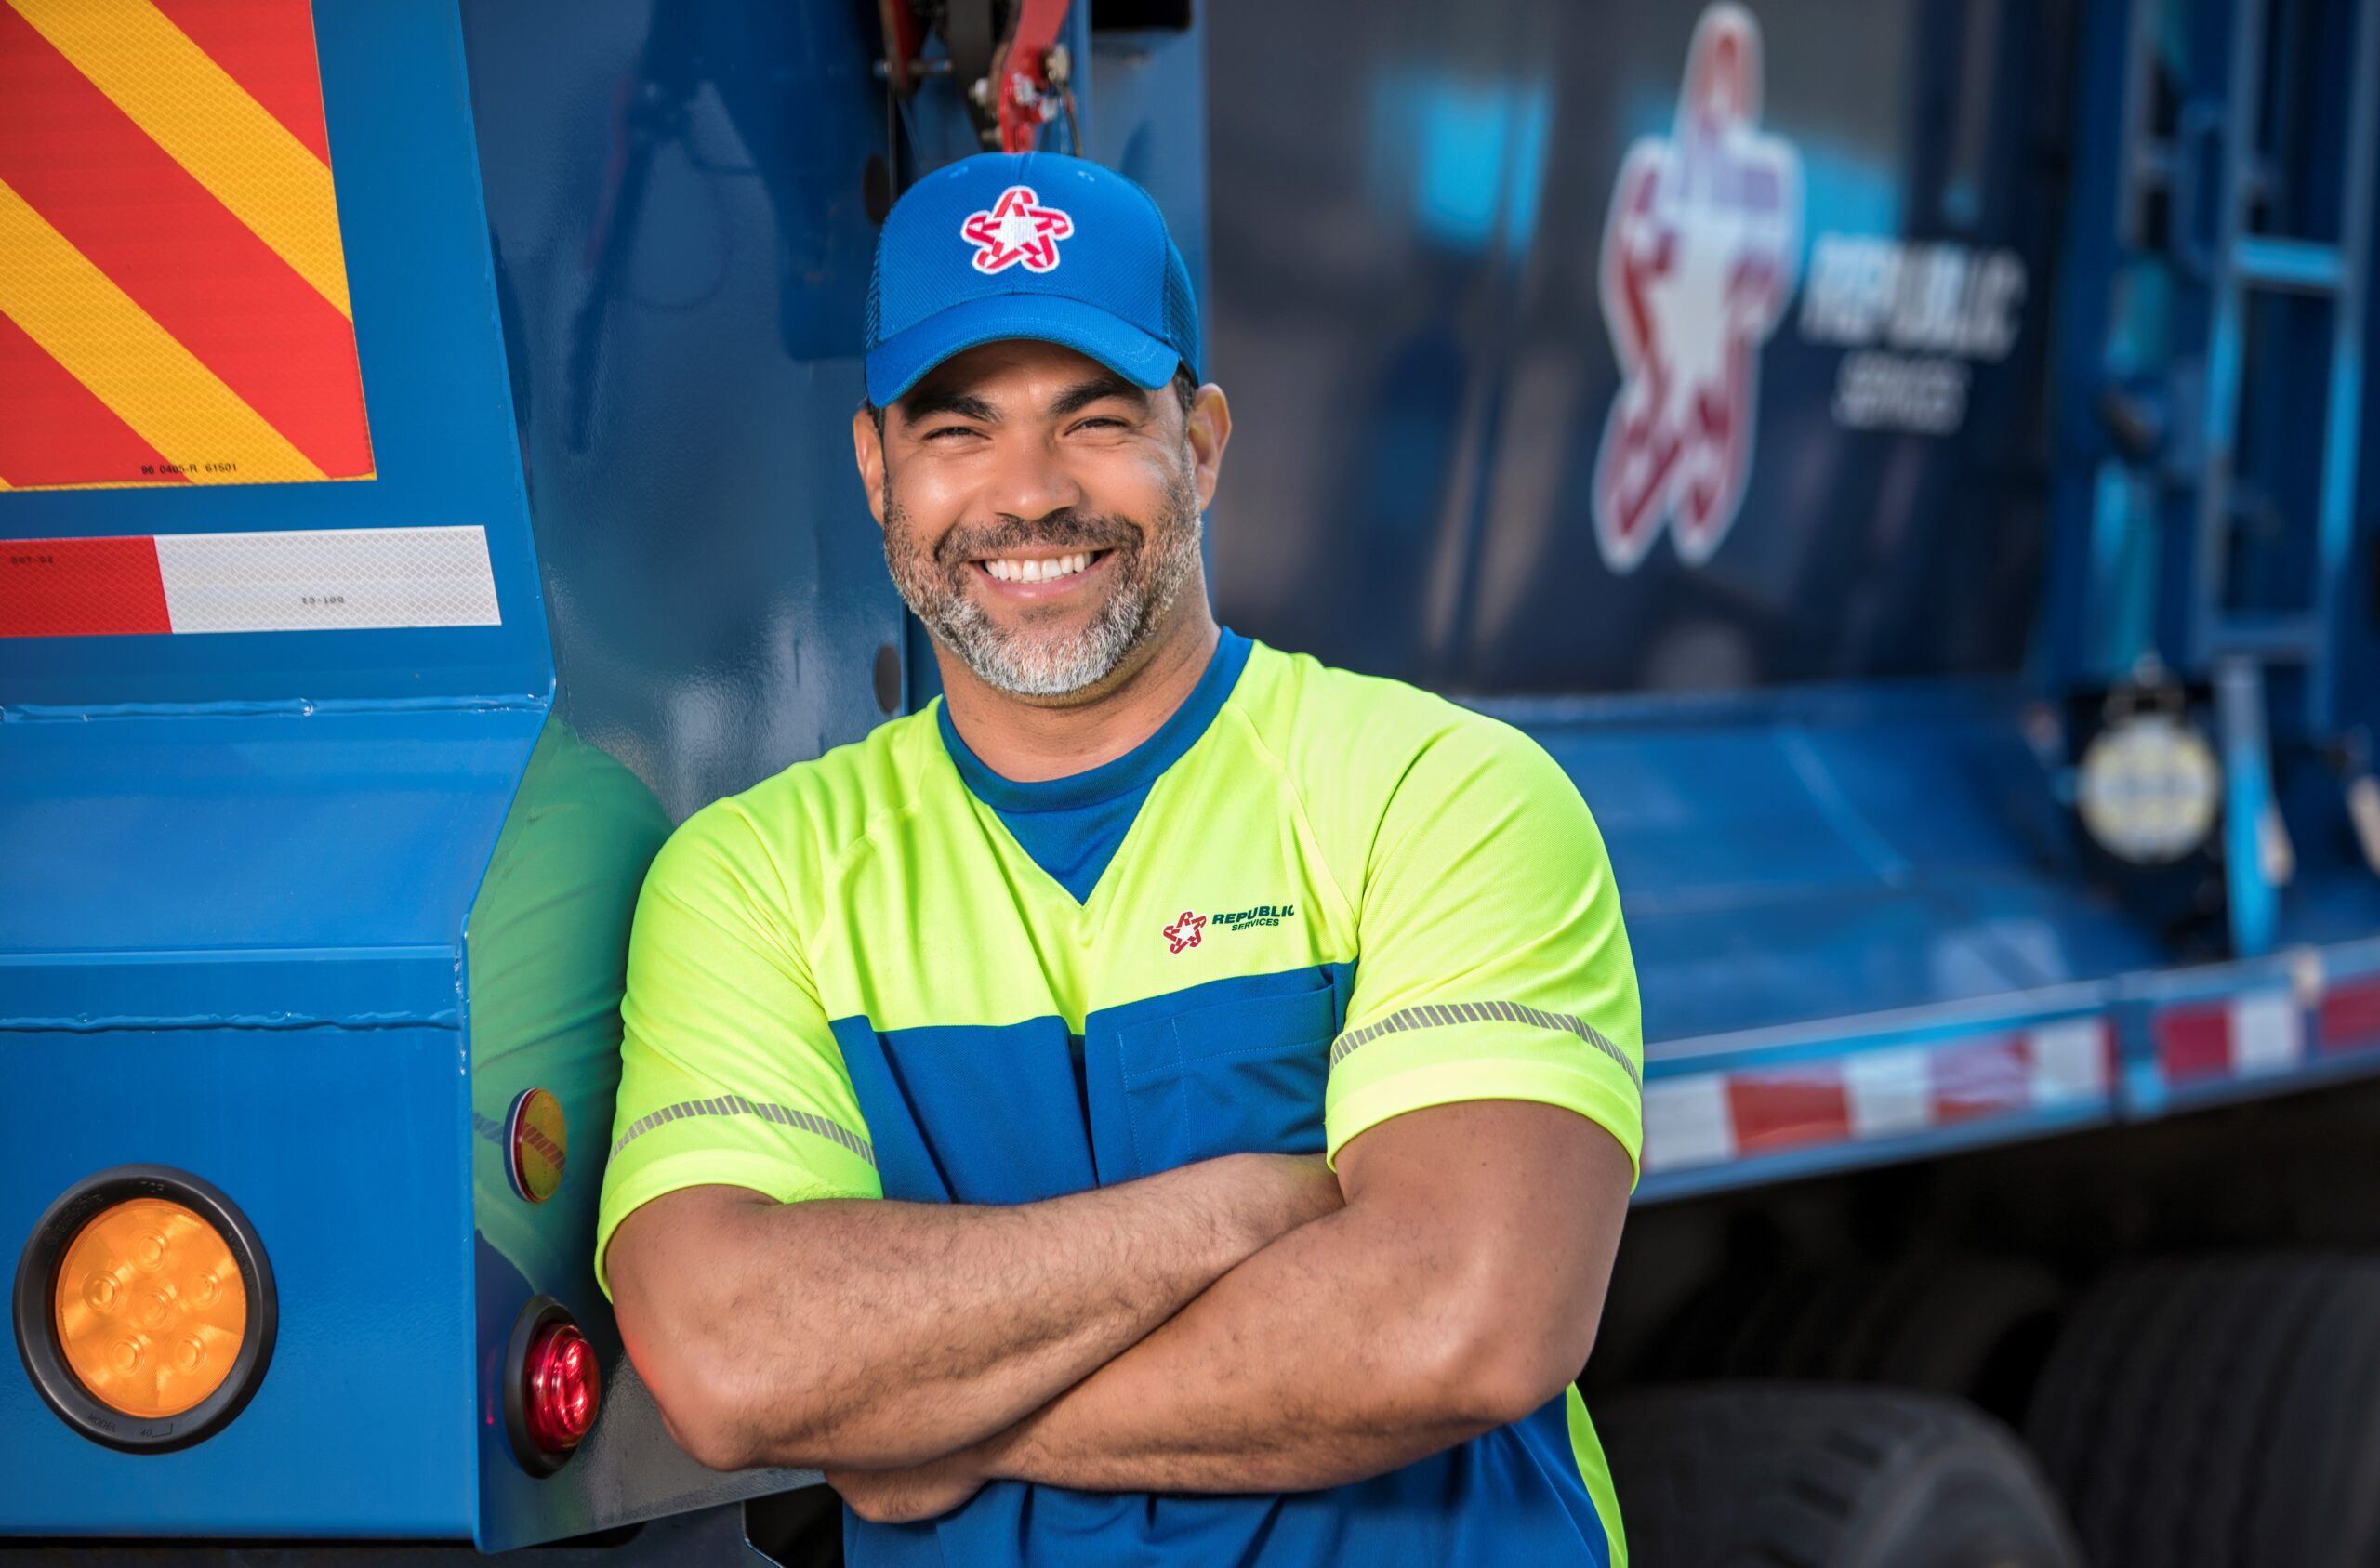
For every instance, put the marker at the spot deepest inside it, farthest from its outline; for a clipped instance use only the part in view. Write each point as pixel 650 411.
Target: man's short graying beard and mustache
pixel 1151 572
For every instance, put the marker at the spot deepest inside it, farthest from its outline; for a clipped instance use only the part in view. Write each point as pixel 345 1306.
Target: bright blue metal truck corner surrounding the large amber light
pixel 232 915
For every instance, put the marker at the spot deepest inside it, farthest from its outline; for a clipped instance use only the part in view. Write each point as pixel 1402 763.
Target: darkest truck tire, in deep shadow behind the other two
pixel 1967 1326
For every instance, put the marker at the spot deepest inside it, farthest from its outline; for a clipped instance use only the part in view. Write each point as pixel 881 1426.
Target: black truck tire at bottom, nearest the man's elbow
pixel 1824 1479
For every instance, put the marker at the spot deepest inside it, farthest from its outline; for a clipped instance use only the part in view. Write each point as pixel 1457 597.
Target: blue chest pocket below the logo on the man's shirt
pixel 1241 1074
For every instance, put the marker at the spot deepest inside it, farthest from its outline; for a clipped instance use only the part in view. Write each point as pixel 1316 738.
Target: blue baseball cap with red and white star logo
pixel 1027 246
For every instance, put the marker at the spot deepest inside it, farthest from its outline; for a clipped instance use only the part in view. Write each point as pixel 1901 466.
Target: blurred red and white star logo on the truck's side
pixel 1701 258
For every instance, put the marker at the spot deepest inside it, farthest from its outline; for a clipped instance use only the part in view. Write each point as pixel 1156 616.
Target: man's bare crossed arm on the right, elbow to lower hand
pixel 1455 1293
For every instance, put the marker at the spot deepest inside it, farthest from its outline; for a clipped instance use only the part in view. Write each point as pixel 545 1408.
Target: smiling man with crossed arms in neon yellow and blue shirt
pixel 1167 1103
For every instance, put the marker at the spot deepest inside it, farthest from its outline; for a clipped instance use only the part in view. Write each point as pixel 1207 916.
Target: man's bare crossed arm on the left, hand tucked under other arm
pixel 879 1334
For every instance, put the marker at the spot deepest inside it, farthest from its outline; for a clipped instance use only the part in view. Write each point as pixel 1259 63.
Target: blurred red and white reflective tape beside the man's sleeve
pixel 1703 1119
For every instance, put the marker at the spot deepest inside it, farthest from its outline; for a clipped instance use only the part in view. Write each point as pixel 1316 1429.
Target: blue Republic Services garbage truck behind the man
pixel 1900 460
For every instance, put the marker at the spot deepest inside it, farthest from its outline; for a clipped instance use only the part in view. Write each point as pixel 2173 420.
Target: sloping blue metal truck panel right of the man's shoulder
pixel 1831 853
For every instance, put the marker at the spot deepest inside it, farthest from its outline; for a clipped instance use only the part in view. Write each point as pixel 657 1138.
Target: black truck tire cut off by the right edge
pixel 2222 1415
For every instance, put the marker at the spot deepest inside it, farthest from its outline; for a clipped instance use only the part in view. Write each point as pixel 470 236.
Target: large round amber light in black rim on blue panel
pixel 144 1307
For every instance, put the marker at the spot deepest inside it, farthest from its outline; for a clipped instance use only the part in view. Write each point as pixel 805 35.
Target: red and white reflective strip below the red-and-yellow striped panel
pixel 313 579
